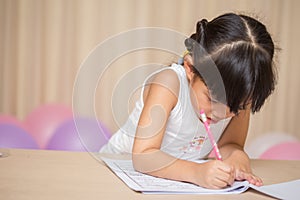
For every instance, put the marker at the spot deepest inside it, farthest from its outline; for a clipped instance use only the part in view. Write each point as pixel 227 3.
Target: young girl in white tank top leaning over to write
pixel 164 132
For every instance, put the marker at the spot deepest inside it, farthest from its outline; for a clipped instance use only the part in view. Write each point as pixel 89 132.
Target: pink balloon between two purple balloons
pixel 43 121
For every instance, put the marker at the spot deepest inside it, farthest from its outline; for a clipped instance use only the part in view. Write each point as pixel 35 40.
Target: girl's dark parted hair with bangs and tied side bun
pixel 242 50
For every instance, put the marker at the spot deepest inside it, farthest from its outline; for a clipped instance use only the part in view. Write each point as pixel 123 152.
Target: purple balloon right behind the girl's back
pixel 84 135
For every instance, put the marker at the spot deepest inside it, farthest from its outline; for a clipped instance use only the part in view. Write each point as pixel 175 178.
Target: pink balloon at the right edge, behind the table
pixel 283 151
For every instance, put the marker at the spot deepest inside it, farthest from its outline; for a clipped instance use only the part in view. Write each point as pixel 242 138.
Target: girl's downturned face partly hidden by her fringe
pixel 201 99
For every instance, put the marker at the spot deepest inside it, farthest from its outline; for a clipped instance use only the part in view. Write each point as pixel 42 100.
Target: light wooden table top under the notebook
pixel 55 175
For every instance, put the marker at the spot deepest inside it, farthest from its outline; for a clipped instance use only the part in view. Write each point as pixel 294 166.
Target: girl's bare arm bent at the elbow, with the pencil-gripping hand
pixel 160 97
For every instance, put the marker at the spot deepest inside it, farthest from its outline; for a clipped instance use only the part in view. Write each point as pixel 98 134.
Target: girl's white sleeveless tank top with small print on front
pixel 185 136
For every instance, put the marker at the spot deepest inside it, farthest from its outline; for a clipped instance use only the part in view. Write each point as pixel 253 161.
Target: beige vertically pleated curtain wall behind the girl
pixel 44 42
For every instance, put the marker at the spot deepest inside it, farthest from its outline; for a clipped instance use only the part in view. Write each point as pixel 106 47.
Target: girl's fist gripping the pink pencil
pixel 214 174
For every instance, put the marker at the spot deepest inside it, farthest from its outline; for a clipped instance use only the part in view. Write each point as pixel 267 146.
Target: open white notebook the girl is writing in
pixel 153 185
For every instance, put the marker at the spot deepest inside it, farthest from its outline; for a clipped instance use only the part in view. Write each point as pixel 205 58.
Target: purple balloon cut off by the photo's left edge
pixel 12 136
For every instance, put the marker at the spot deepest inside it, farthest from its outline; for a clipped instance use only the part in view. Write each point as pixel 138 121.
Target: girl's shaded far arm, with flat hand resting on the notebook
pixel 231 147
